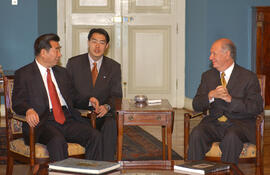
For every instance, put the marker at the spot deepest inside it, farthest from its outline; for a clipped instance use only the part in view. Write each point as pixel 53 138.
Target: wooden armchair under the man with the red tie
pixel 35 154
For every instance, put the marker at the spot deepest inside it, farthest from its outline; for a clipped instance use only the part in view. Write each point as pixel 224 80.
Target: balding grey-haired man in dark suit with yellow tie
pixel 232 95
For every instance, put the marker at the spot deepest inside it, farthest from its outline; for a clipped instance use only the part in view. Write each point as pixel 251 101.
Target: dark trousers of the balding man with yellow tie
pixel 231 136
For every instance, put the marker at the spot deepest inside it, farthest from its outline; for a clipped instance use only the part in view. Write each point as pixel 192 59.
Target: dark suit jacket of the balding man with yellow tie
pixel 244 88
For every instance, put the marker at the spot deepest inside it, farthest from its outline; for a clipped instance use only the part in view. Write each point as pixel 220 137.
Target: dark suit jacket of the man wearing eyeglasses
pixel 108 83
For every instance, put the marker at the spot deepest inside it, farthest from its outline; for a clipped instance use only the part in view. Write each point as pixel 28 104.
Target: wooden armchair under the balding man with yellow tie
pixel 250 152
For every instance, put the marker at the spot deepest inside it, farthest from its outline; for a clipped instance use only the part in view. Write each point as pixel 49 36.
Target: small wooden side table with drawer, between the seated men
pixel 130 113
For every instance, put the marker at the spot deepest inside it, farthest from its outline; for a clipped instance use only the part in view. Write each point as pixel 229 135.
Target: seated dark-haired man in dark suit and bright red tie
pixel 44 93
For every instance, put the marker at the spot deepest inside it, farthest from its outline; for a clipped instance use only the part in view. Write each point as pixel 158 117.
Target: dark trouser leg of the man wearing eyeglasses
pixel 108 128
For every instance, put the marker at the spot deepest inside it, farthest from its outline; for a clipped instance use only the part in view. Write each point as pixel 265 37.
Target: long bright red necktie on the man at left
pixel 56 106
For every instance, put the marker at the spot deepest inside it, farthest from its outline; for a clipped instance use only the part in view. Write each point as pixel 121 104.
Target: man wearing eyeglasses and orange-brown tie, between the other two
pixel 95 75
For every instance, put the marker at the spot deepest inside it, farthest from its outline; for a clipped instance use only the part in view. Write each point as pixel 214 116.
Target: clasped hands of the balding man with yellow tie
pixel 220 92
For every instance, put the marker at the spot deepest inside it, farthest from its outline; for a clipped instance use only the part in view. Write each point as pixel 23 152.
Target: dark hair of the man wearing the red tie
pixel 43 42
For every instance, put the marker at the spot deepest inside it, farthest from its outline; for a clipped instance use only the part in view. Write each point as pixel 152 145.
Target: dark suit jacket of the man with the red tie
pixel 30 92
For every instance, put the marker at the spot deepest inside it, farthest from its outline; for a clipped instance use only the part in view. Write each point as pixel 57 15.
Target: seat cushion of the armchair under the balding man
pixel 249 150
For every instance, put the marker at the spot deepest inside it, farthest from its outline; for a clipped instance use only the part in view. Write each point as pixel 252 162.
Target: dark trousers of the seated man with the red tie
pixel 56 136
